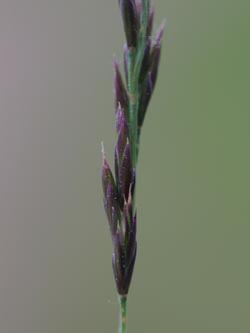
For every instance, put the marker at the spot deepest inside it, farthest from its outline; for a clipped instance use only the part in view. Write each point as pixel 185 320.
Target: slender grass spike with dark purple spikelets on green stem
pixel 132 96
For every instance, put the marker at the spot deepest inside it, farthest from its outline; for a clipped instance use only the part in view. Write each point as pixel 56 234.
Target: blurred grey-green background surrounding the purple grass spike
pixel 56 106
